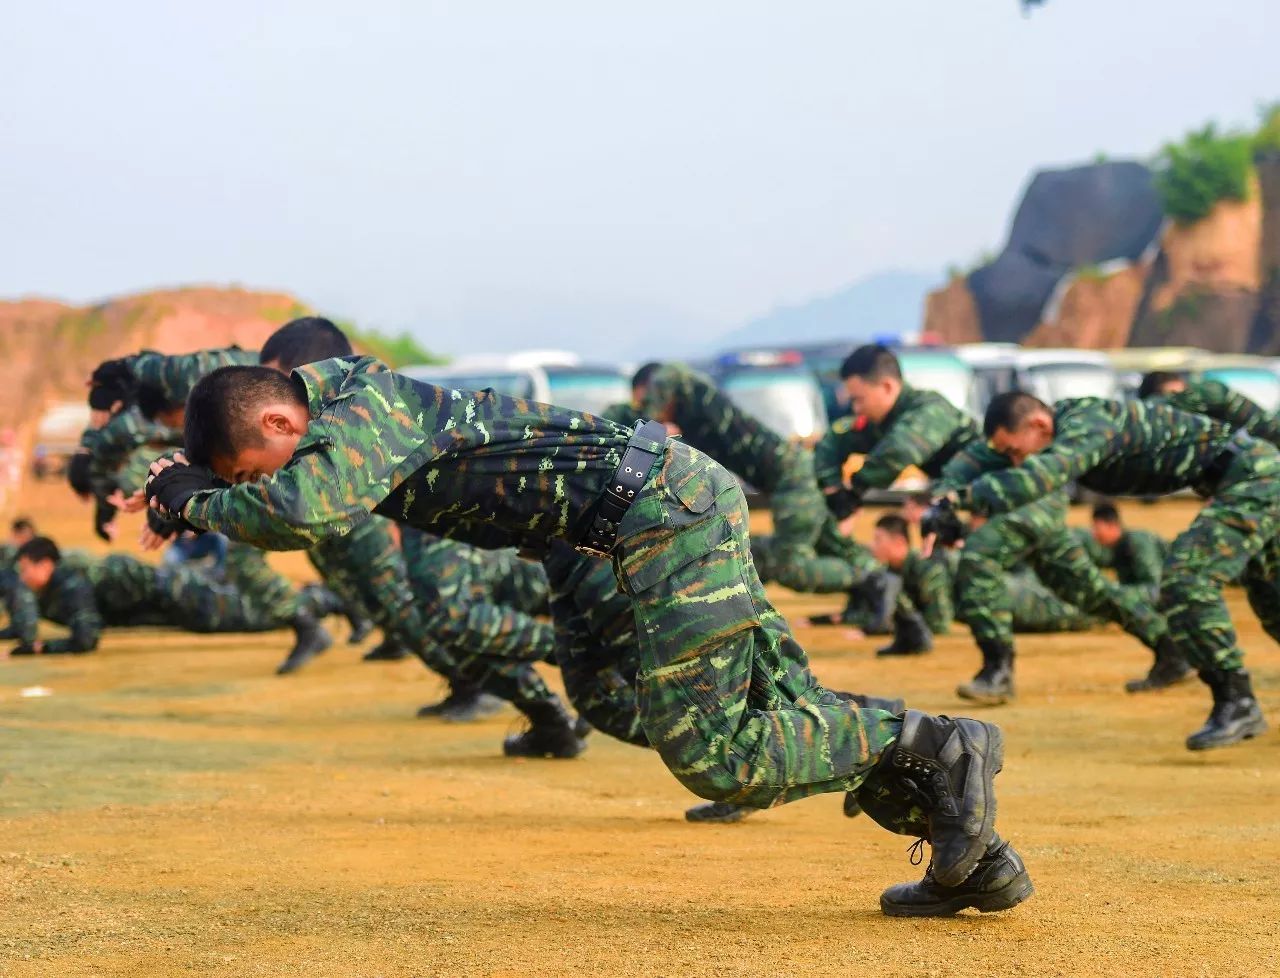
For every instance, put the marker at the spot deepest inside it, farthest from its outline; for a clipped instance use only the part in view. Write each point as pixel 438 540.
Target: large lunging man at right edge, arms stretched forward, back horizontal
pixel 1142 449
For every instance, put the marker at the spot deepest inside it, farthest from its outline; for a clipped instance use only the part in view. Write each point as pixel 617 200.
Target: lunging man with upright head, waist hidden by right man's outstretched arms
pixel 899 427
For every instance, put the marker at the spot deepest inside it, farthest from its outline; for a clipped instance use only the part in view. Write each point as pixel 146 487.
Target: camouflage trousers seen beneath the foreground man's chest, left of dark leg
pixel 473 638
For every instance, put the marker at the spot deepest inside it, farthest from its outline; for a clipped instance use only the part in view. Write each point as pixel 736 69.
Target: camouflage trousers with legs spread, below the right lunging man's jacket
pixel 1037 536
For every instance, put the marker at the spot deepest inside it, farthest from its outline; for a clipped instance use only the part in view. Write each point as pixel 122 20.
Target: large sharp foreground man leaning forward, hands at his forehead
pixel 725 692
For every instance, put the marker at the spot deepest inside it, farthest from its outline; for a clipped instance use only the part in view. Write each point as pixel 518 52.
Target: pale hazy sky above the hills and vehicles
pixel 492 173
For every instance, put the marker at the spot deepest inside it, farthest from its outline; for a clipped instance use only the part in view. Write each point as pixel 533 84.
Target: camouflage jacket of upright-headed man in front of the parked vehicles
pixel 924 429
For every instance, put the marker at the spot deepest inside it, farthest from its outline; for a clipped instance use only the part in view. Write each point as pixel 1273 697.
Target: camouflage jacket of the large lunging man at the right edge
pixel 1132 449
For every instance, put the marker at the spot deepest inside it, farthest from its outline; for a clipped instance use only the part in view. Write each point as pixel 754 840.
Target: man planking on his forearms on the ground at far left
pixel 124 592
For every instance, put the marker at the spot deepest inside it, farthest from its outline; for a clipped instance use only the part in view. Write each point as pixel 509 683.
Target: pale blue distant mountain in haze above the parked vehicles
pixel 884 303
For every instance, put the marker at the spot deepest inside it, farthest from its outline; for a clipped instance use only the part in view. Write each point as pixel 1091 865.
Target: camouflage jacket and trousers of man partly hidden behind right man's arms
pixel 926 431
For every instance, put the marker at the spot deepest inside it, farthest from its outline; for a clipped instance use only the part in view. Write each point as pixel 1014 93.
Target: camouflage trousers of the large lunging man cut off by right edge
pixel 1236 537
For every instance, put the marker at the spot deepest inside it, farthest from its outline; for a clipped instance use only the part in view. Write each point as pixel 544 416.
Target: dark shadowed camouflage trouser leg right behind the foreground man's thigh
pixel 597 648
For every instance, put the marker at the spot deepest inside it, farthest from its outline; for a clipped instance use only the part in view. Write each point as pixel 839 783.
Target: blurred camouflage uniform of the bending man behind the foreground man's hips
pixel 808 552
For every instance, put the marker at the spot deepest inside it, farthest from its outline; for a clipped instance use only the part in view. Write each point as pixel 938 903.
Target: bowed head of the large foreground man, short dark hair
pixel 245 422
